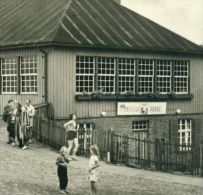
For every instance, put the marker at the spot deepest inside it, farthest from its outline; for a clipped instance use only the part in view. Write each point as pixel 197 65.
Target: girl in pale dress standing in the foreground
pixel 93 167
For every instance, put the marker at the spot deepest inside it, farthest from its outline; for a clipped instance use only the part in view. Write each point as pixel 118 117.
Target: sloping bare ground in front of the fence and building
pixel 33 172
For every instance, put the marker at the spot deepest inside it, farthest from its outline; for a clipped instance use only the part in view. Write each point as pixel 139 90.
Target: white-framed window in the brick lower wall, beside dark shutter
pixel 185 132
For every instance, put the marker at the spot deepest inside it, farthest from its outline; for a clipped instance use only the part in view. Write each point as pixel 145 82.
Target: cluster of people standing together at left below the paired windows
pixel 19 121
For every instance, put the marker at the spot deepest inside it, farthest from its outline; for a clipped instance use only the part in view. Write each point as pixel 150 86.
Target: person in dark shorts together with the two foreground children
pixel 68 153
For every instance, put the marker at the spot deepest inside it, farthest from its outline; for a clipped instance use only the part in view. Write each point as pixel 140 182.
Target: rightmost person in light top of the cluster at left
pixel 31 112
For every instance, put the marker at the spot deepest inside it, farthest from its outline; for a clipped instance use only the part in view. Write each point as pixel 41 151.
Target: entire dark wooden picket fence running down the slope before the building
pixel 117 148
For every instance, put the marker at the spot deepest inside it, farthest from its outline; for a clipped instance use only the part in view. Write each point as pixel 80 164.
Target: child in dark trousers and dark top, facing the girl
pixel 62 163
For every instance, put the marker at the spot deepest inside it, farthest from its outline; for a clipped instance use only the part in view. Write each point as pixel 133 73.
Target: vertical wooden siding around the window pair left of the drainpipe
pixel 36 98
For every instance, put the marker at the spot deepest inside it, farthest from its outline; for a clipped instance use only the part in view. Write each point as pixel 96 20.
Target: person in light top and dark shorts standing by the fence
pixel 71 137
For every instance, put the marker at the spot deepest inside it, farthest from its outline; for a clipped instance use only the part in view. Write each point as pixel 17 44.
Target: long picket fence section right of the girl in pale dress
pixel 148 154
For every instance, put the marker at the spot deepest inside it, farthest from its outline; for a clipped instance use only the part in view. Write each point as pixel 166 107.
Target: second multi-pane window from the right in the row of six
pixel 164 74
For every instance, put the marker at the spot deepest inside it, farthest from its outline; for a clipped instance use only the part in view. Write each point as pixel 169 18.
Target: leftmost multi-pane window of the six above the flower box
pixel 84 74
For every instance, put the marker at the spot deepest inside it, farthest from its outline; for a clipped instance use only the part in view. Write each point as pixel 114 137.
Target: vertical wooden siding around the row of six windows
pixel 62 88
